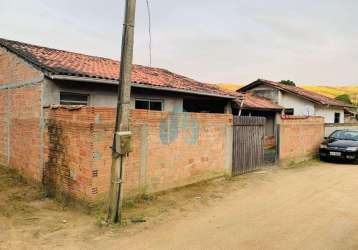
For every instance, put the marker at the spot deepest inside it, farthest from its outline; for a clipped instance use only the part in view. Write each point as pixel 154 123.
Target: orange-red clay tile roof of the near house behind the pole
pixel 59 62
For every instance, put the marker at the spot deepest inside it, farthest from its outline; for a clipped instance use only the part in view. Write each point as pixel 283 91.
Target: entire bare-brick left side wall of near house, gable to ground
pixel 20 115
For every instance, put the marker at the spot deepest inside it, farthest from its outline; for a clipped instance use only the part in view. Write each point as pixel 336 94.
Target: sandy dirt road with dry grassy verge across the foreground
pixel 310 207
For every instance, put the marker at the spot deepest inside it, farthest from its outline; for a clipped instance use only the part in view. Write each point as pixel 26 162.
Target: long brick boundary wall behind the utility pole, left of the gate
pixel 169 150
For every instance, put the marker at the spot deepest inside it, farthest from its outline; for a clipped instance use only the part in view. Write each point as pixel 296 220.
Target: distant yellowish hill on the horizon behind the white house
pixel 330 91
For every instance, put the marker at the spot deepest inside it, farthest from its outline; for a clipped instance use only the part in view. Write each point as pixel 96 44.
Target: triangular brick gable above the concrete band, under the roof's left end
pixel 14 69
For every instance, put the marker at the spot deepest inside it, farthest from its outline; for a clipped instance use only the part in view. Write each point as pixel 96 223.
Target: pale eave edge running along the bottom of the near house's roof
pixel 134 84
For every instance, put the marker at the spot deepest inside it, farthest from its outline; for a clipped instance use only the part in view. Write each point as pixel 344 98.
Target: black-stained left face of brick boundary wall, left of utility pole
pixel 68 152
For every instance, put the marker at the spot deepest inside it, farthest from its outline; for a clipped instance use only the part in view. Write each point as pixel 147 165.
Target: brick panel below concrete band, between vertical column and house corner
pixel 25 131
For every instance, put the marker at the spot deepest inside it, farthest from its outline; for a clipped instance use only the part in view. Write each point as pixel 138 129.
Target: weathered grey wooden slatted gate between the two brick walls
pixel 248 151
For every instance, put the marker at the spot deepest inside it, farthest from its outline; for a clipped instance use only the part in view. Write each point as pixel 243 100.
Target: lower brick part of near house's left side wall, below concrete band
pixel 20 130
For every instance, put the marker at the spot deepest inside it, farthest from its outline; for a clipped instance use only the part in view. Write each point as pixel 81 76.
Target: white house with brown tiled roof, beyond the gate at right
pixel 298 101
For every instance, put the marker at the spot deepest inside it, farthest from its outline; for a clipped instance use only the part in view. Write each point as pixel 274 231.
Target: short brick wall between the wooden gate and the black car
pixel 300 137
